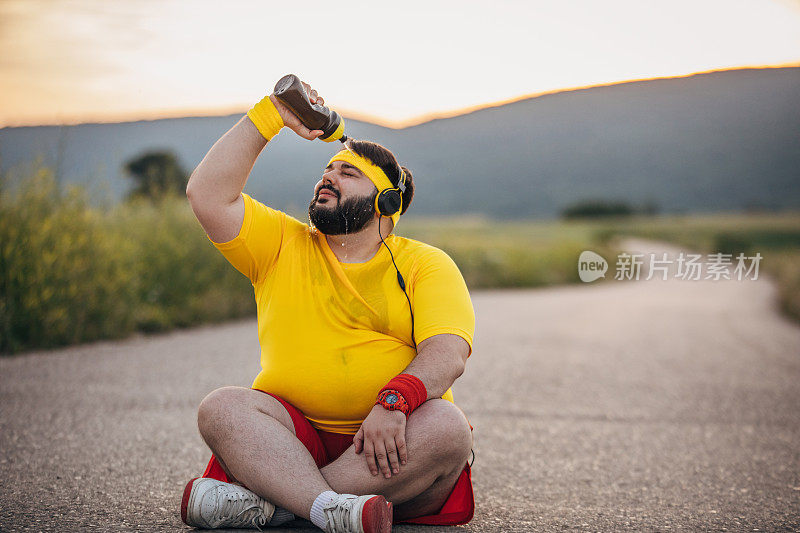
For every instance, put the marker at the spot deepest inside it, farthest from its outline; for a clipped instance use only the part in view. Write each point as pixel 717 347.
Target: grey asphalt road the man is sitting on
pixel 639 405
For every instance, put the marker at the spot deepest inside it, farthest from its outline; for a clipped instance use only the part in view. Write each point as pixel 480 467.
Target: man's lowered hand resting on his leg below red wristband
pixel 382 438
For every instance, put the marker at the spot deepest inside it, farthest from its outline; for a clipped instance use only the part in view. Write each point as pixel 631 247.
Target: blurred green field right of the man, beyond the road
pixel 530 253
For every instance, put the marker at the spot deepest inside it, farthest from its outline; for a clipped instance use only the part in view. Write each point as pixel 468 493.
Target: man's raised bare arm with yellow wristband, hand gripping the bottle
pixel 215 186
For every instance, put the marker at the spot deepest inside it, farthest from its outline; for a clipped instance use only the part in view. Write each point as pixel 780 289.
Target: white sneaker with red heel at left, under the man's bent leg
pixel 210 504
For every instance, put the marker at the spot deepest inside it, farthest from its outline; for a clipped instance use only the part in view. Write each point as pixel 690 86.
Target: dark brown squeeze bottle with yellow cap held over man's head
pixel 291 93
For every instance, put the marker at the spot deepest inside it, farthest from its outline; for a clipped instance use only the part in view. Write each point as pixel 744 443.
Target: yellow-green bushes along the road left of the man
pixel 72 273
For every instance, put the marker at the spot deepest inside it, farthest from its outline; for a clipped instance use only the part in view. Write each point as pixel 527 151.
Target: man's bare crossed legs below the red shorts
pixel 253 437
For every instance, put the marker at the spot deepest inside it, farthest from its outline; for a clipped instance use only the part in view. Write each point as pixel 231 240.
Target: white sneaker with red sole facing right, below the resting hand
pixel 358 514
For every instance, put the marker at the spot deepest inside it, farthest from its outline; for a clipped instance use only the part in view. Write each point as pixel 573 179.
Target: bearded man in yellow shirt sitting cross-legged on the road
pixel 351 422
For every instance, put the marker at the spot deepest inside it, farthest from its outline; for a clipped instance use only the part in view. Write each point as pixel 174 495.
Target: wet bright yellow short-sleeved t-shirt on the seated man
pixel 333 334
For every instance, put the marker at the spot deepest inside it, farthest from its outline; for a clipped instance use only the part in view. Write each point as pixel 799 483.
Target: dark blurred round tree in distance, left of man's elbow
pixel 156 174
